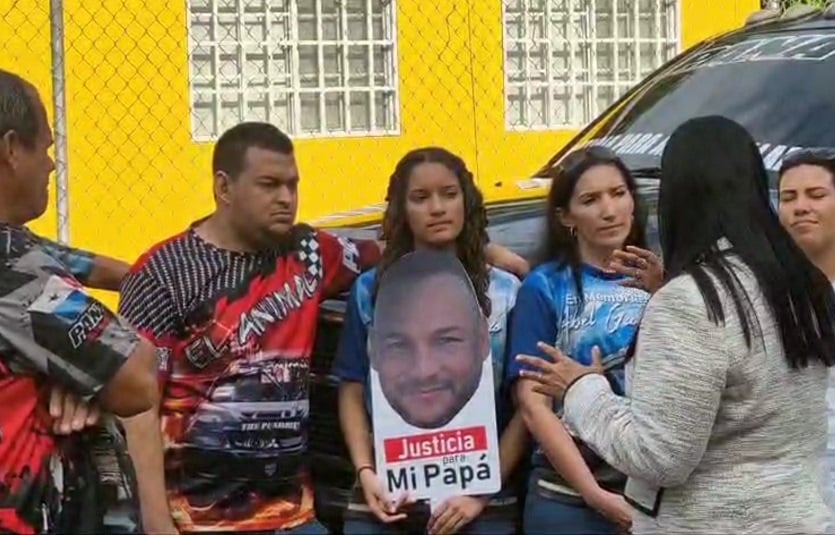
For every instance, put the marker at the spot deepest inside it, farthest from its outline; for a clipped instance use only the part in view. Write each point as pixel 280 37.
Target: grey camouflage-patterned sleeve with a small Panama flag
pixel 56 328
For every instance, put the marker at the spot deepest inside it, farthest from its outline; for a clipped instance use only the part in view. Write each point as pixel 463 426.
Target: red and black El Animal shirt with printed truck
pixel 236 332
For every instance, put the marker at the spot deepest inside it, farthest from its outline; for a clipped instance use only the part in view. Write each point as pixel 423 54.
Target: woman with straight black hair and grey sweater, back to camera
pixel 725 424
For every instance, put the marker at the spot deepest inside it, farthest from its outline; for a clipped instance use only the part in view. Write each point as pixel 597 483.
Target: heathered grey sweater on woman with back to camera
pixel 733 436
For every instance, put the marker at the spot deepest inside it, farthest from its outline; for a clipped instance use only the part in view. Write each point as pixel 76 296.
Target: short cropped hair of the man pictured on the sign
pixel 403 281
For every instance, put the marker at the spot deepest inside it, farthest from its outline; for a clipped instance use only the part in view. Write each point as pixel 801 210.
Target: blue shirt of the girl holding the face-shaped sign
pixel 352 360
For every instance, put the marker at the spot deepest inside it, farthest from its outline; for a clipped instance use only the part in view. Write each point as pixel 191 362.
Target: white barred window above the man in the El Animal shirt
pixel 314 68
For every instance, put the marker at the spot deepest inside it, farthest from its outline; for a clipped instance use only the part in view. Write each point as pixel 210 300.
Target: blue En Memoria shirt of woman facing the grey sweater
pixel 549 309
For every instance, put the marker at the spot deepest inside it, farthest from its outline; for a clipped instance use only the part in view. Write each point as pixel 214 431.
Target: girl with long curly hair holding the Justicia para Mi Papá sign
pixel 433 202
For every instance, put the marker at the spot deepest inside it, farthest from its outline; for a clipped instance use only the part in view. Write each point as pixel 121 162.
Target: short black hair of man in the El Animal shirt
pixel 230 149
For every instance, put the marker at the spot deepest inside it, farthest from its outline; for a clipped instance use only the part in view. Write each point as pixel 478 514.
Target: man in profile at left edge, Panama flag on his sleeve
pixel 52 332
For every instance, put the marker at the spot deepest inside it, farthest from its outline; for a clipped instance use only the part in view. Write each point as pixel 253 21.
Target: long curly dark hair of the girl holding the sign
pixel 470 244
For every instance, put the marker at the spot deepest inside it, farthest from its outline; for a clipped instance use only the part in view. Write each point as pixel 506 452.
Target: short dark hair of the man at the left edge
pixel 18 110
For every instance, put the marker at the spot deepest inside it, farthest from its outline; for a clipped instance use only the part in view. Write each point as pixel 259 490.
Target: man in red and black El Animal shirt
pixel 233 304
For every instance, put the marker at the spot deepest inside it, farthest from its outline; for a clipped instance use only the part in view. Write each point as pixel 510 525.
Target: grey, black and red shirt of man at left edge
pixel 52 332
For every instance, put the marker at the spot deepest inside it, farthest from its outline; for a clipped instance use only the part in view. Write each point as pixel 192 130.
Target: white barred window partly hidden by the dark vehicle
pixel 566 61
